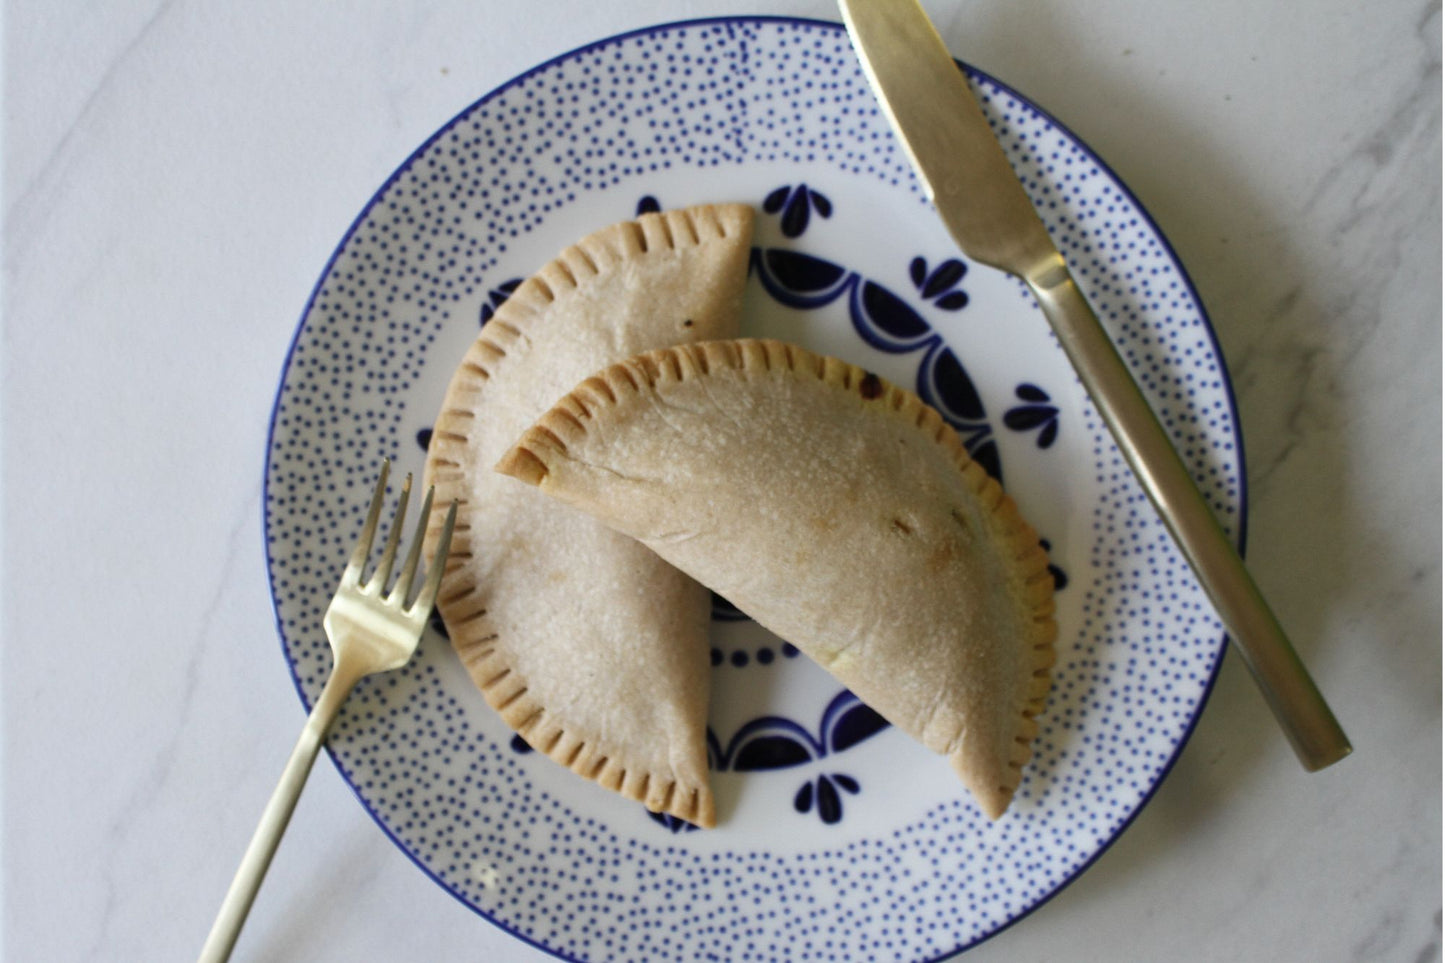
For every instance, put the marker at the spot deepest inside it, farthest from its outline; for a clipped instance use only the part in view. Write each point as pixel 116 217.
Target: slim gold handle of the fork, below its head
pixel 256 861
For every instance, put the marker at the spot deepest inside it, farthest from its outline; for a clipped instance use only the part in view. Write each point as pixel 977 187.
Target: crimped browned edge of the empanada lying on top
pixel 570 420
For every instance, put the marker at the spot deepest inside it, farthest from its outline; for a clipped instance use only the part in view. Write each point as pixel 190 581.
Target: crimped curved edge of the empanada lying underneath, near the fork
pixel 473 635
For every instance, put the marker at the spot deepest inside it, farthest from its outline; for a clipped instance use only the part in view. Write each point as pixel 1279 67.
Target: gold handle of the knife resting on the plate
pixel 1297 703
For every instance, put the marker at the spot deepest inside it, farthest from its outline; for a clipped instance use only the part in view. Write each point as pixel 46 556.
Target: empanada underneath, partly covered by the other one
pixel 585 641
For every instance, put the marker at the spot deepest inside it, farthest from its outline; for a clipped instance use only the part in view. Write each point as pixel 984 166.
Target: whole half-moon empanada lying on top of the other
pixel 842 514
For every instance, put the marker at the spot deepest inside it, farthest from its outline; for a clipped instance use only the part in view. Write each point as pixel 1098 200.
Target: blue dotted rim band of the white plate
pixel 706 96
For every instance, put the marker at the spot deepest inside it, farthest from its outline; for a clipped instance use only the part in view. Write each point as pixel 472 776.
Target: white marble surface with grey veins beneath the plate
pixel 176 179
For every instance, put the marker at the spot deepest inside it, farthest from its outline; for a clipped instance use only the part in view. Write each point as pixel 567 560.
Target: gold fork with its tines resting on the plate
pixel 371 633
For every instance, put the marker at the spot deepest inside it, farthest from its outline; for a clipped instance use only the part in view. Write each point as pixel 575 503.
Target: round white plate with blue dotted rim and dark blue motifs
pixel 840 839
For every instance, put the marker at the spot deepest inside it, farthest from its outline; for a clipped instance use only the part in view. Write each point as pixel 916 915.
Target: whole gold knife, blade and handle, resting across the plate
pixel 966 174
